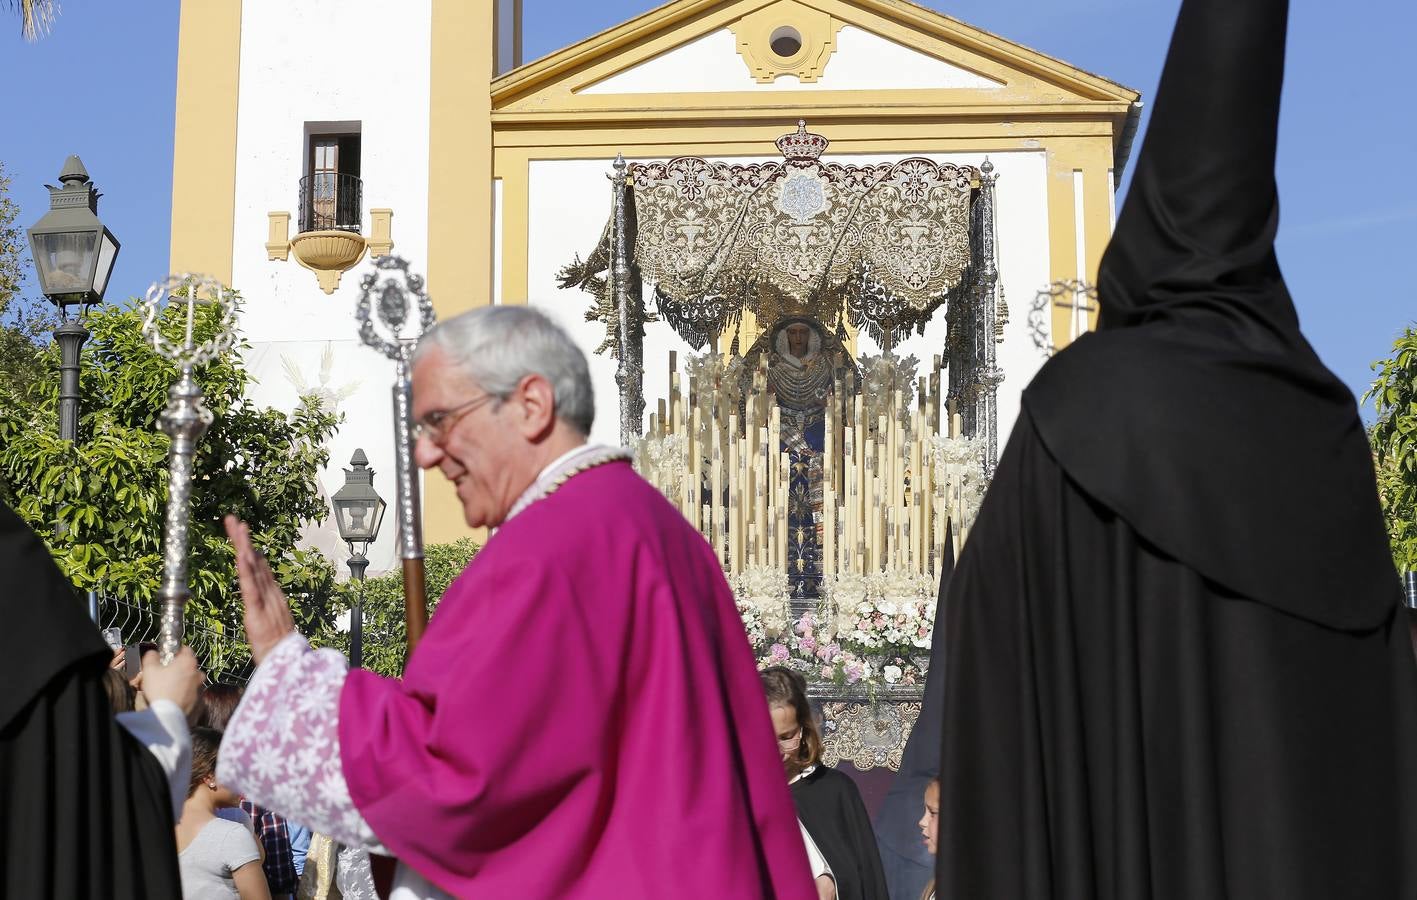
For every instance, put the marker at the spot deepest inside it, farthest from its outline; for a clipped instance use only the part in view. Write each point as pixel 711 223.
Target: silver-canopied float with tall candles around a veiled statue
pixel 811 471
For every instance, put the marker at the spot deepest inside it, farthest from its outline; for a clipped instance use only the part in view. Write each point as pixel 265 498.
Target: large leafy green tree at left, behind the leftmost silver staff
pixel 100 502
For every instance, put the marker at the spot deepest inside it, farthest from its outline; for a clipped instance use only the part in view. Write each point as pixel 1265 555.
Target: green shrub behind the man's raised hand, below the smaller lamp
pixel 386 640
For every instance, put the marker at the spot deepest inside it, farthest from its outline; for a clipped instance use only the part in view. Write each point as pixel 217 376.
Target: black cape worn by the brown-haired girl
pixel 834 814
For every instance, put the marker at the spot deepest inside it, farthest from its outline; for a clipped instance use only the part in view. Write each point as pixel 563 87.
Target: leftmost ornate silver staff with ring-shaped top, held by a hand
pixel 185 420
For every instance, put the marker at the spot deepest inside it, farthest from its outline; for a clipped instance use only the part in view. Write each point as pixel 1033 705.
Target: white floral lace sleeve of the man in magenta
pixel 283 746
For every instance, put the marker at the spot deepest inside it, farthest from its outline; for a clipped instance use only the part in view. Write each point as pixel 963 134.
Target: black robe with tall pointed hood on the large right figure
pixel 1177 663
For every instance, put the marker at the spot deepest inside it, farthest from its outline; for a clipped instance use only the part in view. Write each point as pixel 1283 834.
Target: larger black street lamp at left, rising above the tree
pixel 74 256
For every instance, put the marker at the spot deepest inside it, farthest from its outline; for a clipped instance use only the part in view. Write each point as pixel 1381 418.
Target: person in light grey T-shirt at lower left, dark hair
pixel 219 860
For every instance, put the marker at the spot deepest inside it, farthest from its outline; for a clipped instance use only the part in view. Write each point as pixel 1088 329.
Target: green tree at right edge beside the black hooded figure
pixel 1395 444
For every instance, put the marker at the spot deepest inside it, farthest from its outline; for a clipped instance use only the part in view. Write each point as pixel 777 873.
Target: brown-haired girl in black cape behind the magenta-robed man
pixel 827 801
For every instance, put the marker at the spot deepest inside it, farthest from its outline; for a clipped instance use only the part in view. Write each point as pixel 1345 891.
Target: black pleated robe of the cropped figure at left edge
pixel 84 809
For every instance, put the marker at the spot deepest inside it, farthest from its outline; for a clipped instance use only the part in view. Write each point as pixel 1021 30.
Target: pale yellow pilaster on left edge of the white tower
pixel 205 142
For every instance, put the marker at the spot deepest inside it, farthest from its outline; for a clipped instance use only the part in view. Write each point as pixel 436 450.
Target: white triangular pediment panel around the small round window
pixel 862 62
